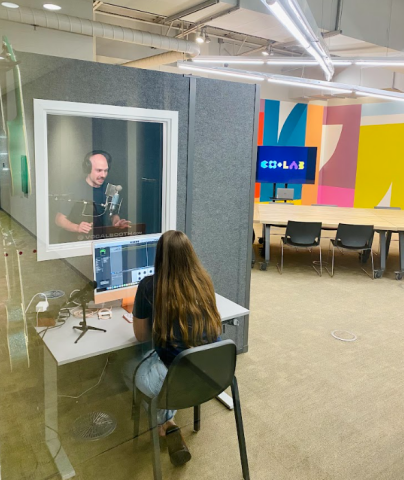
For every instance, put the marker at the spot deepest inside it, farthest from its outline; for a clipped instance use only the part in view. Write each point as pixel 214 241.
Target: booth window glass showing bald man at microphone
pixel 105 178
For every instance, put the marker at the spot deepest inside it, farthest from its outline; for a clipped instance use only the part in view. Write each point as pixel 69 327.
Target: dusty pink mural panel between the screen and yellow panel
pixel 340 169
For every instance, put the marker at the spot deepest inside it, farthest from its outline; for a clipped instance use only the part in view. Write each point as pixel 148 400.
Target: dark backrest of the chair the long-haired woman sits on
pixel 198 374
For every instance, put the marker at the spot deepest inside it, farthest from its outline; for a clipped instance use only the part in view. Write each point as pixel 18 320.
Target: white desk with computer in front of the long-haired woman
pixel 60 349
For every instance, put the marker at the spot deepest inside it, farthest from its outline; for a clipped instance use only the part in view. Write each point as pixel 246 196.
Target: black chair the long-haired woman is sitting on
pixel 196 376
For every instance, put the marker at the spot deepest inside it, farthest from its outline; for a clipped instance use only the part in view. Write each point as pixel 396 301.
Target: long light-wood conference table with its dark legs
pixel 384 221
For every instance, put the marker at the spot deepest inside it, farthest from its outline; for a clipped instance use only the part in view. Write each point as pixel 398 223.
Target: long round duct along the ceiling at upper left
pixel 67 23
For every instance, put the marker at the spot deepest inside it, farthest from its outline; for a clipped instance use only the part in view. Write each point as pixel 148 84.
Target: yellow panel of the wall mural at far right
pixel 380 165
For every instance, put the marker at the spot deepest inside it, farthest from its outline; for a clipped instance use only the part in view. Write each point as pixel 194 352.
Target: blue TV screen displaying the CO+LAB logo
pixel 286 164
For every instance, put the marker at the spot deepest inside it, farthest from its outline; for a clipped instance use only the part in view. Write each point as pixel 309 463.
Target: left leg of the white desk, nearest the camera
pixel 55 448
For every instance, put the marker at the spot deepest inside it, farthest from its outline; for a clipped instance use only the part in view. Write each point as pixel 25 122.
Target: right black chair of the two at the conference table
pixel 357 238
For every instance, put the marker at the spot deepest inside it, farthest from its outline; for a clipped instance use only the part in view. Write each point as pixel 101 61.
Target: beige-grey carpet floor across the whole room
pixel 314 407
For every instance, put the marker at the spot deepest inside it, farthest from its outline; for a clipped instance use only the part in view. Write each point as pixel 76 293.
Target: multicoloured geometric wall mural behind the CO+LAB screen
pixel 360 151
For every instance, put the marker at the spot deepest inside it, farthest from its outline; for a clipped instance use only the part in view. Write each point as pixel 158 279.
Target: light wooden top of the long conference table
pixel 280 214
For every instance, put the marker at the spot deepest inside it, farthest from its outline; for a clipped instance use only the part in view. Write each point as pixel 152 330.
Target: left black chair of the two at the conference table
pixel 302 235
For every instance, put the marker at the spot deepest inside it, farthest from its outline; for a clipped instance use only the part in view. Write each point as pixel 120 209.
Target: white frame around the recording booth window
pixel 43 108
